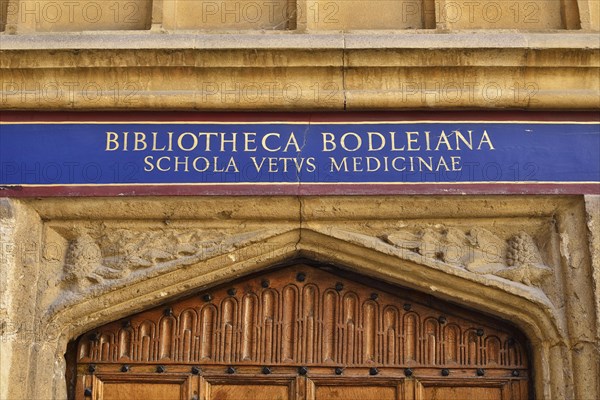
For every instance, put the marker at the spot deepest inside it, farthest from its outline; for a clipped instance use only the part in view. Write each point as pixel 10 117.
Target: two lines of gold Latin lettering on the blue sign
pixel 355 151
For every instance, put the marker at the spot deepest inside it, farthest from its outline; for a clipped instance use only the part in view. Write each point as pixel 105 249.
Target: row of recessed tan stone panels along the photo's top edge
pixel 21 16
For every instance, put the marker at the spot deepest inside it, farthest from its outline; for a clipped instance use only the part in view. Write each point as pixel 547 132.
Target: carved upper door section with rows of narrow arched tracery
pixel 307 316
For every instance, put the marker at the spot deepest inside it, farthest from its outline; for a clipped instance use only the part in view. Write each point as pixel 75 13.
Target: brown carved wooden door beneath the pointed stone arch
pixel 304 333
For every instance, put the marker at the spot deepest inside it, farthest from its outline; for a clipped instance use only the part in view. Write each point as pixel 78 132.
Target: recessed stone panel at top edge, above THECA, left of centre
pixel 229 14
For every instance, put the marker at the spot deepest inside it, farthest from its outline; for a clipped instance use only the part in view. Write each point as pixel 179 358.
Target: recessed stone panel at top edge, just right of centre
pixel 357 14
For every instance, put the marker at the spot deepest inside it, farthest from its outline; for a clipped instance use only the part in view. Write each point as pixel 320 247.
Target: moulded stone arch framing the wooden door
pixel 518 304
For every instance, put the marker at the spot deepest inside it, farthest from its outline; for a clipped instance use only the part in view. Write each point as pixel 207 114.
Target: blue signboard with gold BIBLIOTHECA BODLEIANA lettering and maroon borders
pixel 156 154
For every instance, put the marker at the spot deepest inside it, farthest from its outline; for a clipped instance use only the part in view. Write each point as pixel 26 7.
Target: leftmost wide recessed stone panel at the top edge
pixel 79 15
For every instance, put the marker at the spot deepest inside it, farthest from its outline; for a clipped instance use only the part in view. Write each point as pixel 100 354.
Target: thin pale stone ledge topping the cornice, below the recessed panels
pixel 418 39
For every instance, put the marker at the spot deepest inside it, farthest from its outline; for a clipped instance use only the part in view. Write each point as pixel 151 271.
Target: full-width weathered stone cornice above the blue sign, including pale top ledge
pixel 300 72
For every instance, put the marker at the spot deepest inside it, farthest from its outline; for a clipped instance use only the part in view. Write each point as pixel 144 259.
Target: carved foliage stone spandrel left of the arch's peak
pixel 96 262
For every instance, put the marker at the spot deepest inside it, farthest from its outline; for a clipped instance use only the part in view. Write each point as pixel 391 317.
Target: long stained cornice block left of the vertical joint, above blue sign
pixel 186 87
